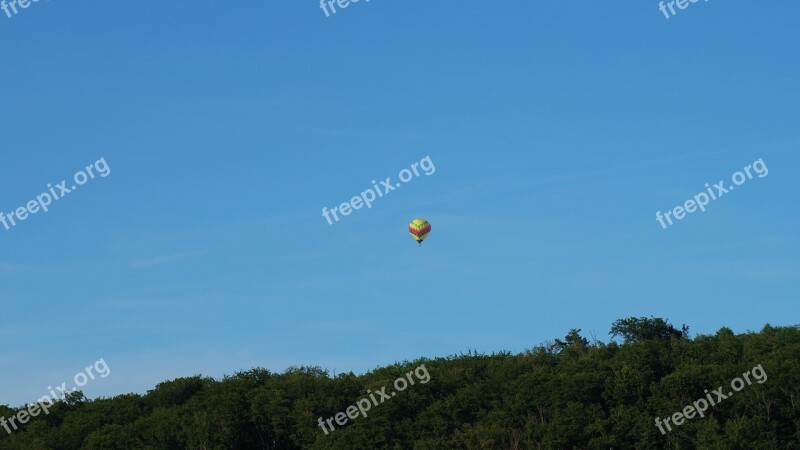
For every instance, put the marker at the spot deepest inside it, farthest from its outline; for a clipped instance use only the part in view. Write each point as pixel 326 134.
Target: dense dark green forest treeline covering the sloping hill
pixel 566 394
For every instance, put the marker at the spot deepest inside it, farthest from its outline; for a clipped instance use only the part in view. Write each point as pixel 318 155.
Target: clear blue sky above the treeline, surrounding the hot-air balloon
pixel 557 131
